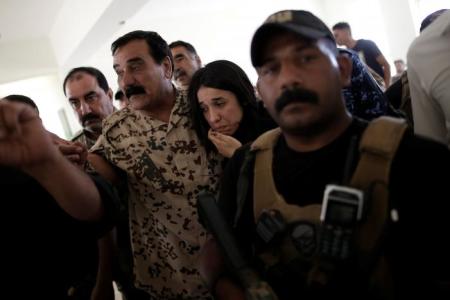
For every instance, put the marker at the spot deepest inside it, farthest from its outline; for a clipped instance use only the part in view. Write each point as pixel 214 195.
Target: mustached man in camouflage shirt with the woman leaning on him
pixel 153 145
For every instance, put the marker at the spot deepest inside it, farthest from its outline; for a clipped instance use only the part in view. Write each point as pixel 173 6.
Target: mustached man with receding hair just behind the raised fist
pixel 91 99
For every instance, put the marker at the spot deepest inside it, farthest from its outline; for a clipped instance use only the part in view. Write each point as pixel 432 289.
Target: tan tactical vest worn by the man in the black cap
pixel 377 148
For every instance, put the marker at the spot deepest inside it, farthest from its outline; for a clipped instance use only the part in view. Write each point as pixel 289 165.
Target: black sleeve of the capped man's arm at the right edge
pixel 420 192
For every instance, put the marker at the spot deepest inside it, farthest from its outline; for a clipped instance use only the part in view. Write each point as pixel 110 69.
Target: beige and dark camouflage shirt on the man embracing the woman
pixel 166 169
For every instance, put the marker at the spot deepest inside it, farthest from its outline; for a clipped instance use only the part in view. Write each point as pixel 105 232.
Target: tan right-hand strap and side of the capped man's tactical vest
pixel 378 147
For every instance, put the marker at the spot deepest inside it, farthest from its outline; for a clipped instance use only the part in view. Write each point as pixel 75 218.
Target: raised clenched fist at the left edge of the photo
pixel 24 142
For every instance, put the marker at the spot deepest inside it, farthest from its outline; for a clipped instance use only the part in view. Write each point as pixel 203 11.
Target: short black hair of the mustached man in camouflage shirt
pixel 158 47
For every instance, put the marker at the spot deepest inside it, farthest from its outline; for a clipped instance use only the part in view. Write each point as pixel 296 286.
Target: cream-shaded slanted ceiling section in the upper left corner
pixel 49 36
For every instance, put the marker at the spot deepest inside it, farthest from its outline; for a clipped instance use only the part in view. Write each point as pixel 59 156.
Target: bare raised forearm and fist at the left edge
pixel 25 144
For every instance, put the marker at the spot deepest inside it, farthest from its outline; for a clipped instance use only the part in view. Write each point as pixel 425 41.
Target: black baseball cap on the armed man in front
pixel 300 22
